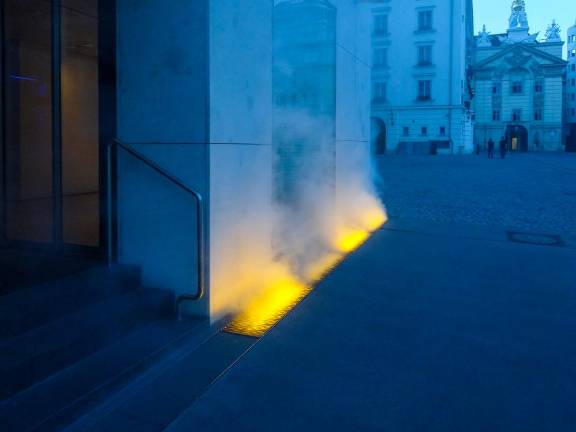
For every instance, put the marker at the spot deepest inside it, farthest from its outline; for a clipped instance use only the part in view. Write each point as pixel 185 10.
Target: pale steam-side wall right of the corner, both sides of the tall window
pixel 244 220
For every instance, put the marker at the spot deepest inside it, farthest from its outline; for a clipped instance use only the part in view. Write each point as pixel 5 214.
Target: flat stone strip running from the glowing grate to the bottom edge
pixel 153 404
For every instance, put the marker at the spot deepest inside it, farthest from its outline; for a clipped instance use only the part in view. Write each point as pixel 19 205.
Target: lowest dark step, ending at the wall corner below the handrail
pixel 70 393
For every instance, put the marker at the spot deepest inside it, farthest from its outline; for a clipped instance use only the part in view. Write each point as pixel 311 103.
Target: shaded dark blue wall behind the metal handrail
pixel 162 111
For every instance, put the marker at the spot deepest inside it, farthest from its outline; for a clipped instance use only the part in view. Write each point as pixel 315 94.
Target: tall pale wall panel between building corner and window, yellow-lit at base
pixel 240 148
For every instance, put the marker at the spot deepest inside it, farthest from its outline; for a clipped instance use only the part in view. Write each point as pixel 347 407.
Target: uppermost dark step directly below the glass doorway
pixel 27 308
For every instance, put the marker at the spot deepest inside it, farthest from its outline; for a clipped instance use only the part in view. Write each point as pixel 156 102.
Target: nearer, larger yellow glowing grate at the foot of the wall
pixel 269 307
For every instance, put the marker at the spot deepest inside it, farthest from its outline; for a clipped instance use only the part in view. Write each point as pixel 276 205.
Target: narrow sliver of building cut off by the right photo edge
pixel 570 90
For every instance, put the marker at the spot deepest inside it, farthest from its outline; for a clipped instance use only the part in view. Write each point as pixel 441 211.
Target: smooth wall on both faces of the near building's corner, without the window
pixel 195 96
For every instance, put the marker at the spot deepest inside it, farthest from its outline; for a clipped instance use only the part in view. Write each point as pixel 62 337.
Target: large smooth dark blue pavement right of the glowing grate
pixel 415 332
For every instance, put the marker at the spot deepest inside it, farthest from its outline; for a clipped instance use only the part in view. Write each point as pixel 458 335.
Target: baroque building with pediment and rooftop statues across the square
pixel 518 79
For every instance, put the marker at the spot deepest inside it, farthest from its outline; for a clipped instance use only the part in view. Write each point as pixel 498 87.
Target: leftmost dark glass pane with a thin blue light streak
pixel 28 116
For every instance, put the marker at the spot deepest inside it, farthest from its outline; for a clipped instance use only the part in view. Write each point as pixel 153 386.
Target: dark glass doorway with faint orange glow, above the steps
pixel 53 123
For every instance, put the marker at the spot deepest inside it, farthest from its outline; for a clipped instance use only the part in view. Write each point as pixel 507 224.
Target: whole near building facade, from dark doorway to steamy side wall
pixel 206 97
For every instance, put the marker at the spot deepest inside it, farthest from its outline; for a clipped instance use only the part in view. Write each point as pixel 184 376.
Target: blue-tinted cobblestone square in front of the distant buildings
pixel 531 192
